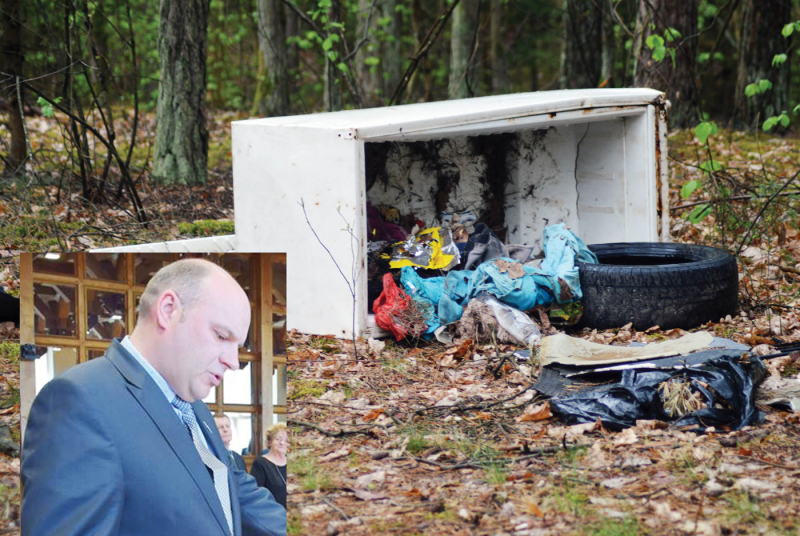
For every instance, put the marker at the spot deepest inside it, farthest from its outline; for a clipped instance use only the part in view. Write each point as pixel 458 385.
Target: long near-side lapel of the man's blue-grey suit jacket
pixel 155 404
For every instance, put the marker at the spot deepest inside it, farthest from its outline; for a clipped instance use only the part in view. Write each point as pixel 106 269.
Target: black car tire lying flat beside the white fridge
pixel 657 284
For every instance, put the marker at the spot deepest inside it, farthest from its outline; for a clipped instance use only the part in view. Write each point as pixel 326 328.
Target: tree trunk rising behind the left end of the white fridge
pixel 272 93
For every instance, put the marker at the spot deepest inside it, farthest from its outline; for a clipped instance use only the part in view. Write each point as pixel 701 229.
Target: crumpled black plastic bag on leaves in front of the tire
pixel 727 385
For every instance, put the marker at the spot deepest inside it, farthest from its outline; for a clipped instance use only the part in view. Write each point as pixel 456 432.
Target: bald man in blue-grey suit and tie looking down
pixel 124 445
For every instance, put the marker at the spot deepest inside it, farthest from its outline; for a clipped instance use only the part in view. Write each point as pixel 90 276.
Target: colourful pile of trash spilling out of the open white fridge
pixel 480 274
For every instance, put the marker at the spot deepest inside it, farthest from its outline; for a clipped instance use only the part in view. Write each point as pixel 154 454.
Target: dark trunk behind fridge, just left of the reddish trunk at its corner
pixel 581 57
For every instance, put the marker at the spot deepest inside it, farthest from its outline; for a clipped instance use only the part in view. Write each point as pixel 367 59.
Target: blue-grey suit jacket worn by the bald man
pixel 106 455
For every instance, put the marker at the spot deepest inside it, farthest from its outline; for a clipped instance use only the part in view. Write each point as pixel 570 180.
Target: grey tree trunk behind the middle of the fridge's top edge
pixel 463 42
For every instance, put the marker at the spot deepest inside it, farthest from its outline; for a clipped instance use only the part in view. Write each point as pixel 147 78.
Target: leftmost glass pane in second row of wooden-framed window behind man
pixel 54 309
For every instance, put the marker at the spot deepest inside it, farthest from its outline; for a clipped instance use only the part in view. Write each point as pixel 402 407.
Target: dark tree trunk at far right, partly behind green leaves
pixel 760 41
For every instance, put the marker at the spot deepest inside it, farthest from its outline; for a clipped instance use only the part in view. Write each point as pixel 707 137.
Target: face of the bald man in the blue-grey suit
pixel 204 338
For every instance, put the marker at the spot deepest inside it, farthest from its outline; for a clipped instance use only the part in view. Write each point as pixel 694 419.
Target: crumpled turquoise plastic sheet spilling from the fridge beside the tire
pixel 451 293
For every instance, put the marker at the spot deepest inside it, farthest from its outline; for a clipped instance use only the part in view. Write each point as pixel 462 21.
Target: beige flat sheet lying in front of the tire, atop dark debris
pixel 566 350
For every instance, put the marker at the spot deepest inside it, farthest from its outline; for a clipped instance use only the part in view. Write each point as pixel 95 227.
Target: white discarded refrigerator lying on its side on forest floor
pixel 593 159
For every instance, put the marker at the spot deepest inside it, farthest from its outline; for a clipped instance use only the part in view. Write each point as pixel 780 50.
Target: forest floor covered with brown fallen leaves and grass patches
pixel 424 439
